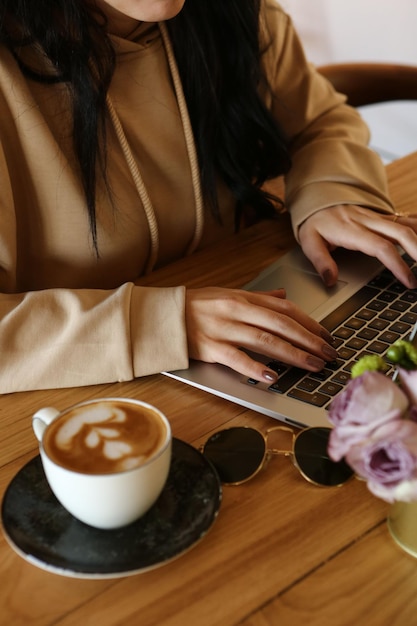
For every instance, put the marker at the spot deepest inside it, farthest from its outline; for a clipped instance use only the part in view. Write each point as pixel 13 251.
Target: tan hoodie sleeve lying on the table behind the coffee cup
pixel 68 337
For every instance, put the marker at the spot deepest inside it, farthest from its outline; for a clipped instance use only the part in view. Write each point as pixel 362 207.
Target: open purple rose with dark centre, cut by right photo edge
pixel 387 460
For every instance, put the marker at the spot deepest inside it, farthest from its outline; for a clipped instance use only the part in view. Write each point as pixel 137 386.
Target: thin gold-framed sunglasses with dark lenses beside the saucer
pixel 239 453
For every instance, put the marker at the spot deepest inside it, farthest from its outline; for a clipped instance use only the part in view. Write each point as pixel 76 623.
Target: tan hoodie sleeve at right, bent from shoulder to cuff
pixel 328 140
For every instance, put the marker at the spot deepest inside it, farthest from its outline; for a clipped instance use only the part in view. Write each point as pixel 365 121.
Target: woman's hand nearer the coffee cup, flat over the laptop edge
pixel 220 322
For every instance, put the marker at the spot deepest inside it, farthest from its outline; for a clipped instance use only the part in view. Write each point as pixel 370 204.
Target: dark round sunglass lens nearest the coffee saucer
pixel 236 453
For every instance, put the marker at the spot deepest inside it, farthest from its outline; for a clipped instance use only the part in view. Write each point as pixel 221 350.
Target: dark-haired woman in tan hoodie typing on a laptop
pixel 134 132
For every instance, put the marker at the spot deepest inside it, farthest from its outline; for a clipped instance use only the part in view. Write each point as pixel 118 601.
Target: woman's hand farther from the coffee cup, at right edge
pixel 357 228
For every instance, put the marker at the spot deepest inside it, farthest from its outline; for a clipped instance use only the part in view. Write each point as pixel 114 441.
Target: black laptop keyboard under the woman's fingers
pixel 367 323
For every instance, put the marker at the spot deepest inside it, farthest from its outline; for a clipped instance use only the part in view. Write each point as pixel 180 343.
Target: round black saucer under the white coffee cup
pixel 40 530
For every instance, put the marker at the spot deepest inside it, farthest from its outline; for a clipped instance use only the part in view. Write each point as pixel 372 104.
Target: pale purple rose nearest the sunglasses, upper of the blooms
pixel 368 402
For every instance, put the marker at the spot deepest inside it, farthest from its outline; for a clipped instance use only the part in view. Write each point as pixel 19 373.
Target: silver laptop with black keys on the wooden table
pixel 365 312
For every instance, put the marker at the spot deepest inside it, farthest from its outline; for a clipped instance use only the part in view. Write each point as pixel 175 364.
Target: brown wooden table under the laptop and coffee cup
pixel 281 550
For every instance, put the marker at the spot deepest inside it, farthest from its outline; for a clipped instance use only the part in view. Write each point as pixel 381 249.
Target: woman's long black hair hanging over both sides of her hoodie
pixel 218 54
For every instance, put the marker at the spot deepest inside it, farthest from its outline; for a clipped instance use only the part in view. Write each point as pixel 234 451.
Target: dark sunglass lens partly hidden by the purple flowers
pixel 310 453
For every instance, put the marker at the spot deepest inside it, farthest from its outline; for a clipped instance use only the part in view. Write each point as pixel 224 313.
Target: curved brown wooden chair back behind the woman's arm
pixel 370 83
